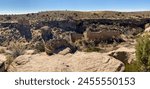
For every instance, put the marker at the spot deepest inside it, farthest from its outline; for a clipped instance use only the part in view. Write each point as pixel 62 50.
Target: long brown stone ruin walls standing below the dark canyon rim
pixel 90 36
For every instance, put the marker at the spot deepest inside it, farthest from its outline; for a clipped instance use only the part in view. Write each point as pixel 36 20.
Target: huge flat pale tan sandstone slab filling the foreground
pixel 77 62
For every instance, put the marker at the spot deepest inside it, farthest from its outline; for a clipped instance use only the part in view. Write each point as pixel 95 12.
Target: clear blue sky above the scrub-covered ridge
pixel 28 6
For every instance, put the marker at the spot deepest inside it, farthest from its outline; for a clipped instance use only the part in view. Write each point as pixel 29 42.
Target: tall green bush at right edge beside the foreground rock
pixel 143 52
